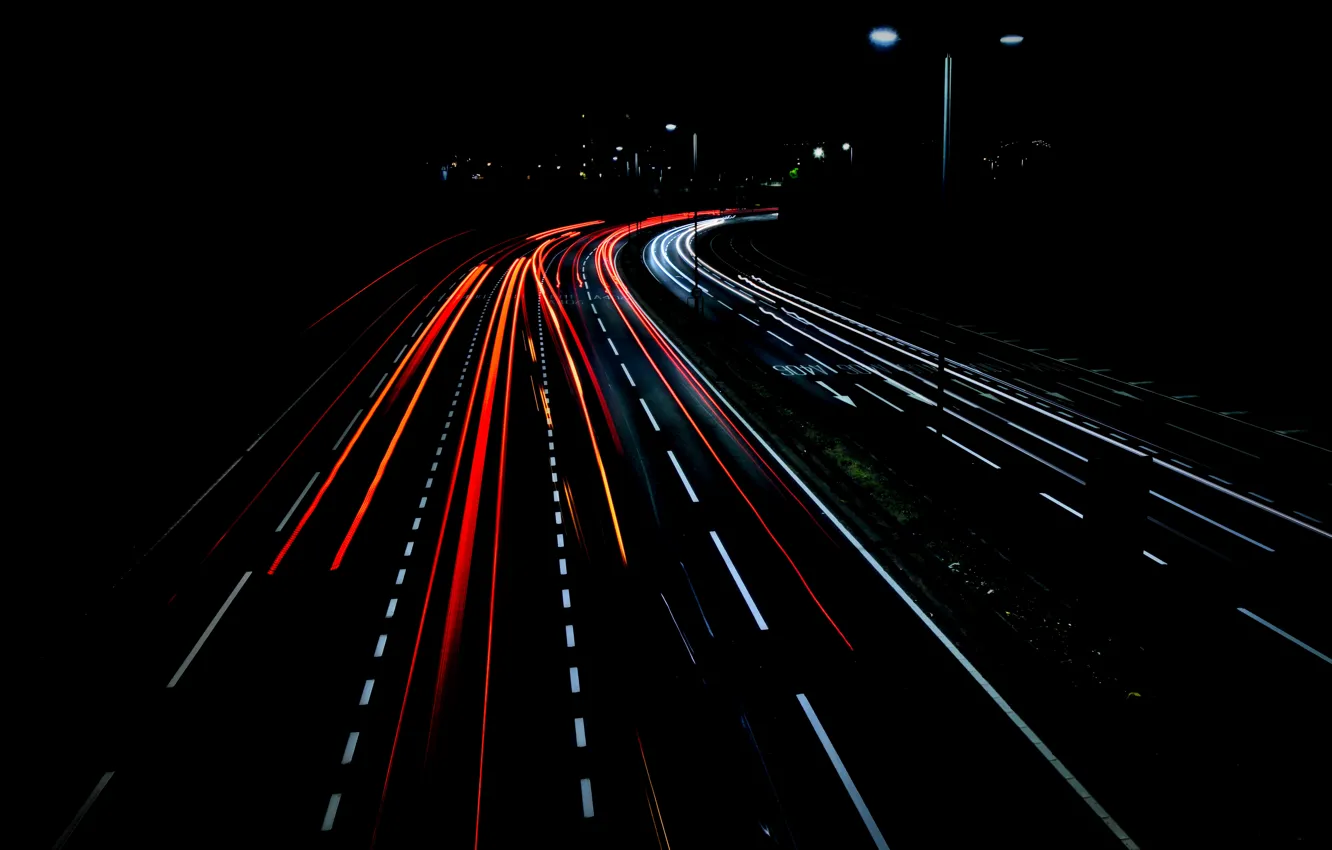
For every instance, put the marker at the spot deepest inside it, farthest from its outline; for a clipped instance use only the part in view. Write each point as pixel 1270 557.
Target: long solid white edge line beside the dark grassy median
pixel 916 610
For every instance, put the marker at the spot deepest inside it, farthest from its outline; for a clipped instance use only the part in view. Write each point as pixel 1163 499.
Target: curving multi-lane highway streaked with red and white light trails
pixel 512 570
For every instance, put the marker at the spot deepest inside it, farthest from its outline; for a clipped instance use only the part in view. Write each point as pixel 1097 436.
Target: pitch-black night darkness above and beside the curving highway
pixel 196 187
